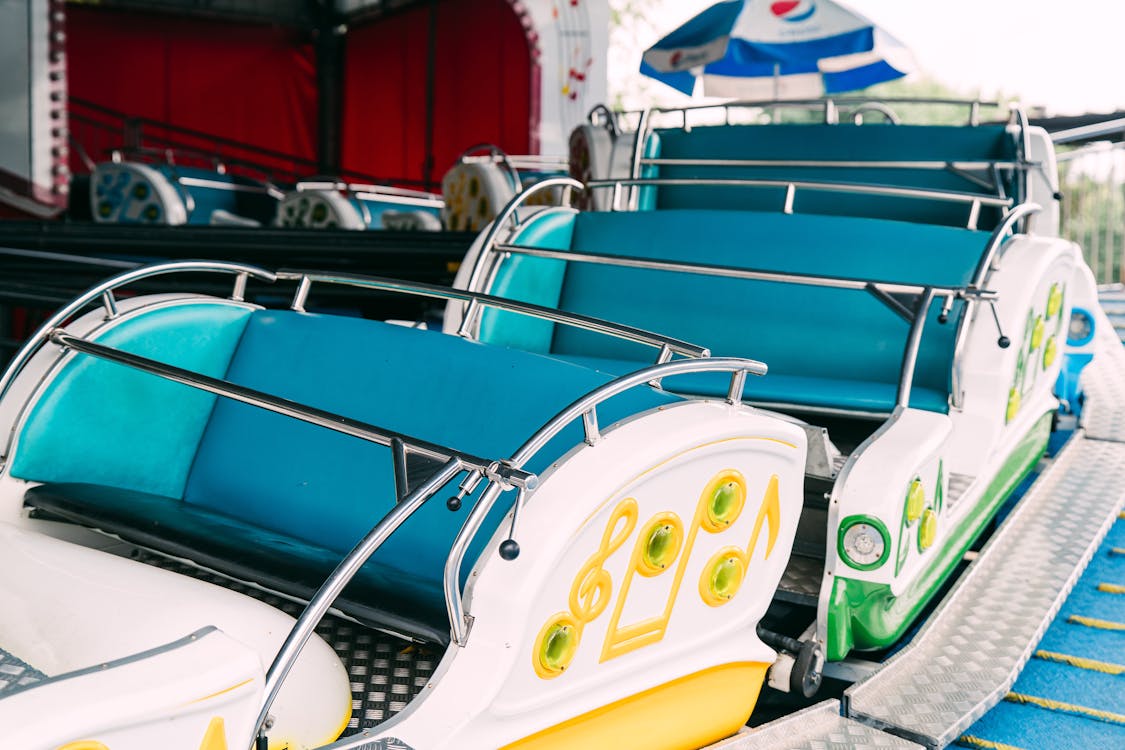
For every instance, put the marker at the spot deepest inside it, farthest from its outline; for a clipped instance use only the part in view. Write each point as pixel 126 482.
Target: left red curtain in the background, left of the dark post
pixel 249 83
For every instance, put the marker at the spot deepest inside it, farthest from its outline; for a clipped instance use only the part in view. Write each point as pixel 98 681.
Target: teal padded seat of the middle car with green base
pixel 825 348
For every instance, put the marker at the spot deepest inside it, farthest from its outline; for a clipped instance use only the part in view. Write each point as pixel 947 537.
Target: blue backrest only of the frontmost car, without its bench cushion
pixel 330 490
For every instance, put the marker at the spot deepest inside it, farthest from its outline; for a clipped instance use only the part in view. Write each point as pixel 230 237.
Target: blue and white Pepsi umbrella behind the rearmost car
pixel 777 49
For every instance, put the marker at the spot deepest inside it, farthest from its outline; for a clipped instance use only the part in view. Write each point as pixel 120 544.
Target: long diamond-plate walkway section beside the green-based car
pixel 971 650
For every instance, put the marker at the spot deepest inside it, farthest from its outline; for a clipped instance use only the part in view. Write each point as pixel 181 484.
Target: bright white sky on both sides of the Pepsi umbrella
pixel 1066 56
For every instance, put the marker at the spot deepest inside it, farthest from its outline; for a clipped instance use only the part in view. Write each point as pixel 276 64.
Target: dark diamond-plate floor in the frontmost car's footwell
pixel 386 673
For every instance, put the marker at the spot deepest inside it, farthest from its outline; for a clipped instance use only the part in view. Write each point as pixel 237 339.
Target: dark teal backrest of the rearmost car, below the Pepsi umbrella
pixel 833 143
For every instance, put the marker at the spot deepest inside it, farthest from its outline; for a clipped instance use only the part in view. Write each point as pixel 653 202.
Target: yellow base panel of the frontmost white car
pixel 687 713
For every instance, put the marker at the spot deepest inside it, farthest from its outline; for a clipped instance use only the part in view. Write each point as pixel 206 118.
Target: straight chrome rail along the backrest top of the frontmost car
pixel 478 301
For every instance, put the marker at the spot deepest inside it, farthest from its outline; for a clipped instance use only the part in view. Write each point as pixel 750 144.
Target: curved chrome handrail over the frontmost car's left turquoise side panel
pixel 105 291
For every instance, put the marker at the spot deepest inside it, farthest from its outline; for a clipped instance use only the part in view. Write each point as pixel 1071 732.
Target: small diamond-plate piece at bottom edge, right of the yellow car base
pixel 817 728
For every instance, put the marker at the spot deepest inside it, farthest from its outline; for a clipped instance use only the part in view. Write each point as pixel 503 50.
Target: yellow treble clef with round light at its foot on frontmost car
pixel 590 594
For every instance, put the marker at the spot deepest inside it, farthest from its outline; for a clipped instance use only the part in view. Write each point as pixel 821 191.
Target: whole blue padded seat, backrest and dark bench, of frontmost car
pixel 280 502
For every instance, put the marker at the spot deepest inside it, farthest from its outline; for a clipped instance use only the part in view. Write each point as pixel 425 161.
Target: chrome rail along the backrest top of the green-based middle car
pixel 975 201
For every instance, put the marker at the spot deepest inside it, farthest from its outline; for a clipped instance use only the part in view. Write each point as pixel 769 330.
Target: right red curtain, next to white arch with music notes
pixel 482 94
